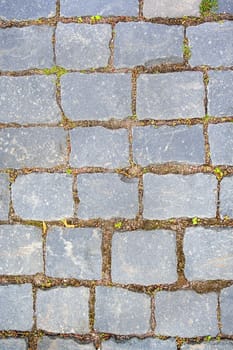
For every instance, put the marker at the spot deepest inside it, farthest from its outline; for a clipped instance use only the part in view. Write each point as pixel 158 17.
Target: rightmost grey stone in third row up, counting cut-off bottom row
pixel 208 253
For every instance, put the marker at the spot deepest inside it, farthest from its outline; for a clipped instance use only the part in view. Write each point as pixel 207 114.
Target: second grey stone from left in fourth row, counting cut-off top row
pixel 99 147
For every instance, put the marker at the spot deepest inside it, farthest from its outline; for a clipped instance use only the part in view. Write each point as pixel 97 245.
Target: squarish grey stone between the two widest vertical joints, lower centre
pixel 144 257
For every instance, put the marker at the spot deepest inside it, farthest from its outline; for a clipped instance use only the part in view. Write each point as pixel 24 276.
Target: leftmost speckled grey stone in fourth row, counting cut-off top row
pixel 32 147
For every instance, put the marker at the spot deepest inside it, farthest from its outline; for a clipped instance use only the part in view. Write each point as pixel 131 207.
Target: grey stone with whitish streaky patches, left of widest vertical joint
pixel 74 253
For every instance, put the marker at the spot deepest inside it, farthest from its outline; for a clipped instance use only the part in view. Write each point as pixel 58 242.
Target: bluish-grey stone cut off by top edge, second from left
pixel 100 7
